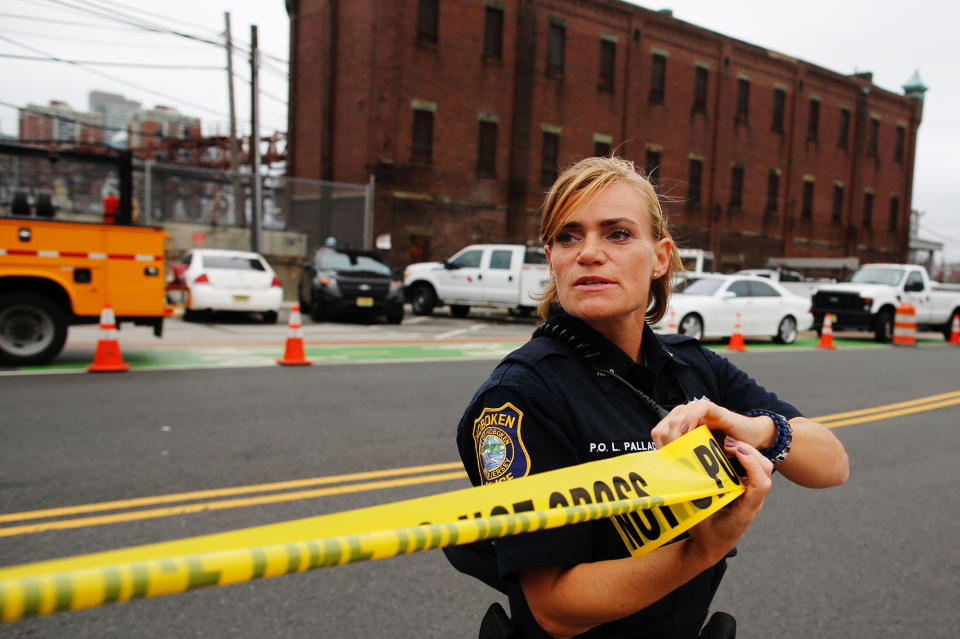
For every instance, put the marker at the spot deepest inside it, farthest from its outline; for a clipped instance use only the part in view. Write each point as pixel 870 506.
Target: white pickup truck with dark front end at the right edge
pixel 869 300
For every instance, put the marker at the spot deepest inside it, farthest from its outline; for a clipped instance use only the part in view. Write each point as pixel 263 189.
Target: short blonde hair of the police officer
pixel 585 180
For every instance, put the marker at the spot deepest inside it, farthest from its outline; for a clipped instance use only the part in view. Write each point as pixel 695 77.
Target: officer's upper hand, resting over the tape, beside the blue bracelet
pixel 759 432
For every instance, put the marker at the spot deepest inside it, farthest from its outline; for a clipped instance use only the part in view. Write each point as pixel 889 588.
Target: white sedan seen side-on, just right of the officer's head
pixel 708 307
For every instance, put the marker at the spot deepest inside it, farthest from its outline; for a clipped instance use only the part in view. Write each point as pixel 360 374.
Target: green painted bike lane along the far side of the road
pixel 182 357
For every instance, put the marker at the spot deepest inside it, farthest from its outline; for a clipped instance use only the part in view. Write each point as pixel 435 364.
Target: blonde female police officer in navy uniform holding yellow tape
pixel 588 386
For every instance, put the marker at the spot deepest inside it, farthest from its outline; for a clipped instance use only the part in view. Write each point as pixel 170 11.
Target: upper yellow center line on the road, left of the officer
pixel 223 492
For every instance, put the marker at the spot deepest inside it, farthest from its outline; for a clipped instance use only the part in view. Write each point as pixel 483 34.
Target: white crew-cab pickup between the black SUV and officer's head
pixel 495 275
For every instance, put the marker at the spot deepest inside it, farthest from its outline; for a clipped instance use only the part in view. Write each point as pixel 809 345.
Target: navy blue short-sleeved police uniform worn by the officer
pixel 552 404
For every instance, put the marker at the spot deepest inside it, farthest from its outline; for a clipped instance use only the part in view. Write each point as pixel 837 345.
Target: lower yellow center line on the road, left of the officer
pixel 224 505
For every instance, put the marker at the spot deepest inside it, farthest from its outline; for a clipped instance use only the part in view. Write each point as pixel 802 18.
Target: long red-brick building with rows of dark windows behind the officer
pixel 463 110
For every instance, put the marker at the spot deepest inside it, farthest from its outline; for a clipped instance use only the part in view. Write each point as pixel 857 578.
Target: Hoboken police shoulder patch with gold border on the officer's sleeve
pixel 500 451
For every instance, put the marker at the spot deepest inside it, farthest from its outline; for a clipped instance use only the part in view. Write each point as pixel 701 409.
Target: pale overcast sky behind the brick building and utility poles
pixel 891 39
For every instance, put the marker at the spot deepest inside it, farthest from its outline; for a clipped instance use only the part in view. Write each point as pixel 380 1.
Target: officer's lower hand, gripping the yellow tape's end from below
pixel 718 534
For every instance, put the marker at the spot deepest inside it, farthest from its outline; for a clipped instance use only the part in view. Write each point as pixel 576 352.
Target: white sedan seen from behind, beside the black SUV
pixel 223 280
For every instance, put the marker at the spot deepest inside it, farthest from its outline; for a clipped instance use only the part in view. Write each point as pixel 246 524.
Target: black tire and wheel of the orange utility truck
pixel 33 329
